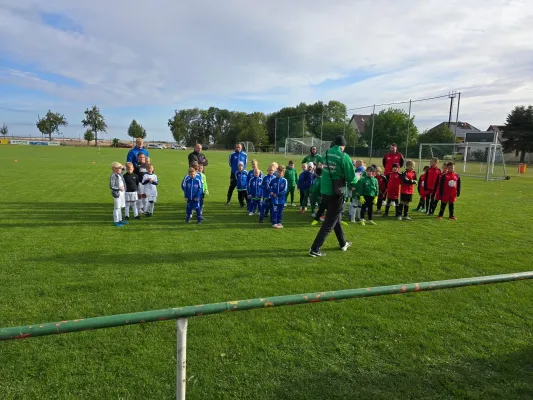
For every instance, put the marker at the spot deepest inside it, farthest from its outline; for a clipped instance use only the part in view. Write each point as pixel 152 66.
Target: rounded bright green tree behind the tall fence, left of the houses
pixel 390 126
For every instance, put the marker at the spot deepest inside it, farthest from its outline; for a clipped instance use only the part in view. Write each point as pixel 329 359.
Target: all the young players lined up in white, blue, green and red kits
pixel 266 195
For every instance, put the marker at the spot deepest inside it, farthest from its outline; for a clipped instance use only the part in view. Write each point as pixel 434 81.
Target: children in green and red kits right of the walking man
pixel 373 188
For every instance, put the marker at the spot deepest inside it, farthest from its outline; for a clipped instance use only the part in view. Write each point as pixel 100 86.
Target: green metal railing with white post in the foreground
pixel 182 313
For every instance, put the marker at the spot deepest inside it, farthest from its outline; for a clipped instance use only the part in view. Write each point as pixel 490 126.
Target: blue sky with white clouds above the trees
pixel 144 59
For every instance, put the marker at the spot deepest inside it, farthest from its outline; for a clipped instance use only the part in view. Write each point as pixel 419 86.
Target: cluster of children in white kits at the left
pixel 136 189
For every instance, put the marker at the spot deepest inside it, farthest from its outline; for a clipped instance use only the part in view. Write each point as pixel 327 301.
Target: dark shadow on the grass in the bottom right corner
pixel 507 377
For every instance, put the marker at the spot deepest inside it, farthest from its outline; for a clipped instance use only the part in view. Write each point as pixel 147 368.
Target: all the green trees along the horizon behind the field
pixel 320 120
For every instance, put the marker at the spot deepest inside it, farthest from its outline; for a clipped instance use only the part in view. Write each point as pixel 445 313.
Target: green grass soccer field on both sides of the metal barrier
pixel 61 258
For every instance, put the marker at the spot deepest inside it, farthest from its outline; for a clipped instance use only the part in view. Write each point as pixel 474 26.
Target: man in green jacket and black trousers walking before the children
pixel 338 171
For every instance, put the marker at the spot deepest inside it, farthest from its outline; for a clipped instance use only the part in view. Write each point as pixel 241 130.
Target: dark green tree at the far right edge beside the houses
pixel 518 131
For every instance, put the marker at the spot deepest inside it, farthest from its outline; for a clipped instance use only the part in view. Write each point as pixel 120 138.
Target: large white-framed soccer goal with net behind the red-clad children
pixel 477 160
